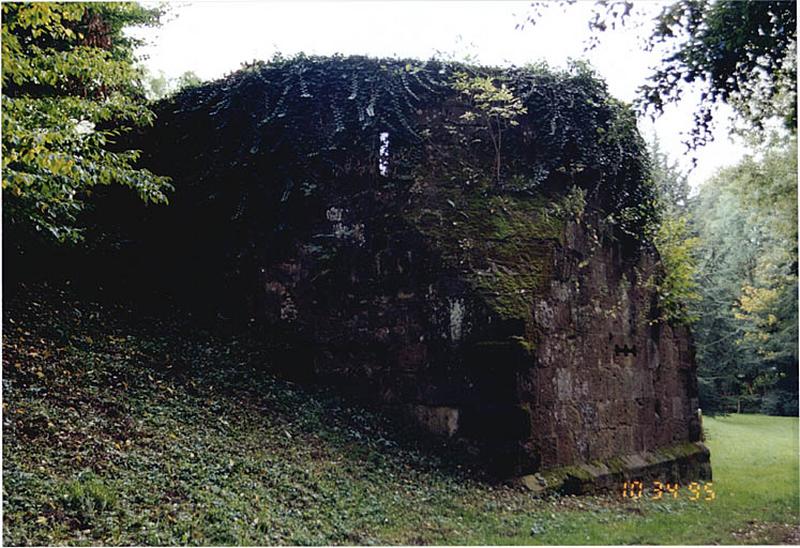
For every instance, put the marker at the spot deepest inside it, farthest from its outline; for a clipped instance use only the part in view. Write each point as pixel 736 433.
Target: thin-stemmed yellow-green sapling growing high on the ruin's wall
pixel 495 106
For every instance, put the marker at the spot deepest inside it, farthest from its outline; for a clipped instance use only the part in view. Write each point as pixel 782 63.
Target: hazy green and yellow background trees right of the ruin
pixel 746 220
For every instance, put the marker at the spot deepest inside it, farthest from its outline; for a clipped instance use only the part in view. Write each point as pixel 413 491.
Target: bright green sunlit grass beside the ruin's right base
pixel 755 465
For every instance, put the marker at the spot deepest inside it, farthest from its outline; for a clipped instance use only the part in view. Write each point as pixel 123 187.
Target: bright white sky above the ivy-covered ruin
pixel 212 38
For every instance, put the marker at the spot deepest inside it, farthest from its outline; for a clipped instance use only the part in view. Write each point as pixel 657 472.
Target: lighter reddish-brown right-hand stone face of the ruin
pixel 607 380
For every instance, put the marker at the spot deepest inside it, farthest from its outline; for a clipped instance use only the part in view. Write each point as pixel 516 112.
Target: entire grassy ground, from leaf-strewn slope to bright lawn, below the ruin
pixel 122 430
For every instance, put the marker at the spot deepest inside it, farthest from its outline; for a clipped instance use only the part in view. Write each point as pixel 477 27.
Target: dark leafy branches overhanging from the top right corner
pixel 742 53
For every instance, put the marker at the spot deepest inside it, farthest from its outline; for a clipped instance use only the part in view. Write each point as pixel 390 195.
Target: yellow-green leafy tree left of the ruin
pixel 69 89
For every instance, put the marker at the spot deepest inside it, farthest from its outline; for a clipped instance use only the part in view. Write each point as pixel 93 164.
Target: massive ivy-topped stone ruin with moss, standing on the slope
pixel 497 290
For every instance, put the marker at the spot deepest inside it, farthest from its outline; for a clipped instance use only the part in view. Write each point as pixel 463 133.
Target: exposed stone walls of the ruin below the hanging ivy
pixel 572 368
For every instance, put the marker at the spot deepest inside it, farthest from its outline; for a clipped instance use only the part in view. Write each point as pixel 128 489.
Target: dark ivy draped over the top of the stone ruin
pixel 306 121
